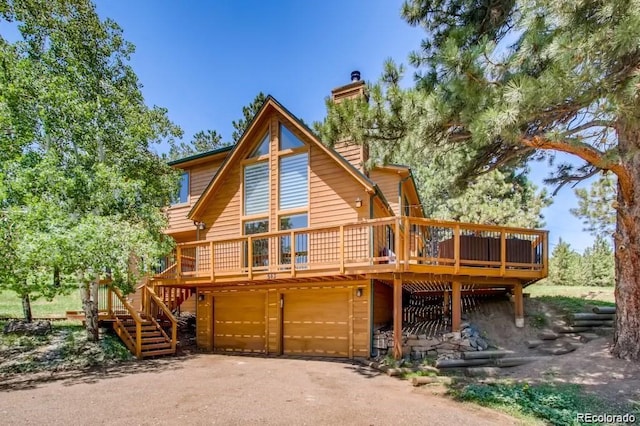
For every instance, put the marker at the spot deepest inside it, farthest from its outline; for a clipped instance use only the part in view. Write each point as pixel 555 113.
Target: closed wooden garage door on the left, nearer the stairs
pixel 239 322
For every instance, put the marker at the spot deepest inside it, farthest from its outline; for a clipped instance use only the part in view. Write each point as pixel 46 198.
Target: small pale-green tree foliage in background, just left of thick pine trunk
pixel 595 206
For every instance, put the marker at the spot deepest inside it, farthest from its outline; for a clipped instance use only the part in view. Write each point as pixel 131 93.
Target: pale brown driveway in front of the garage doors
pixel 217 389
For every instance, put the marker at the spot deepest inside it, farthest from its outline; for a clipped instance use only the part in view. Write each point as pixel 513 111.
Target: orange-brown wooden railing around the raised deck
pixel 373 246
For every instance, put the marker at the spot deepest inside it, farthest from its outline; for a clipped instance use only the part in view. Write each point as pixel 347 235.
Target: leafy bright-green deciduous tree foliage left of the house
pixel 81 188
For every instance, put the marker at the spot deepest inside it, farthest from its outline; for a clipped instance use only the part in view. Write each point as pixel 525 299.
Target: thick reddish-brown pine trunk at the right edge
pixel 627 248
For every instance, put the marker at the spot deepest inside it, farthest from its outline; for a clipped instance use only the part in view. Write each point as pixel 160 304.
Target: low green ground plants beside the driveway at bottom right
pixel 556 404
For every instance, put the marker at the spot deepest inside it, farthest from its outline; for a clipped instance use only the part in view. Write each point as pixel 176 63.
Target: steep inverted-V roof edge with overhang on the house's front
pixel 271 104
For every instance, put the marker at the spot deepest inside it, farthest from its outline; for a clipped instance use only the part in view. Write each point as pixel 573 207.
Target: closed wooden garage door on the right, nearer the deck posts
pixel 316 323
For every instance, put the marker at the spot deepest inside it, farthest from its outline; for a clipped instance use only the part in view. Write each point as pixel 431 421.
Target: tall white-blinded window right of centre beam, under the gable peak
pixel 294 181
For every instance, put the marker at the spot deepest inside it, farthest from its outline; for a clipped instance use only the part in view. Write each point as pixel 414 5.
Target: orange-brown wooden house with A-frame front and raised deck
pixel 288 246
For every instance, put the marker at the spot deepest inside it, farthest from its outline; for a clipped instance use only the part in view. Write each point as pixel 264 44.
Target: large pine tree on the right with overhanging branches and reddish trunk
pixel 522 80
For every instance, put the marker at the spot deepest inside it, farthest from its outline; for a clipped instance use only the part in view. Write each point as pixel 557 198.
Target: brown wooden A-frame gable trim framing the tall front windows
pixel 240 151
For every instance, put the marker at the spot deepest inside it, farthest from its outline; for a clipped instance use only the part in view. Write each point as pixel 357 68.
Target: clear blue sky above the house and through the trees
pixel 205 60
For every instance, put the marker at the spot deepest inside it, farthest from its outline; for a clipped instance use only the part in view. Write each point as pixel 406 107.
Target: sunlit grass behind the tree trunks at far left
pixel 11 305
